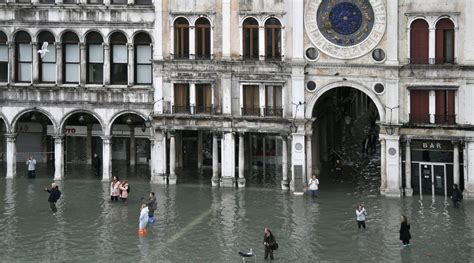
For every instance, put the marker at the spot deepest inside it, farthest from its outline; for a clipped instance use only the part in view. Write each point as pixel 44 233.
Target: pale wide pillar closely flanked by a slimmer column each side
pixel 228 160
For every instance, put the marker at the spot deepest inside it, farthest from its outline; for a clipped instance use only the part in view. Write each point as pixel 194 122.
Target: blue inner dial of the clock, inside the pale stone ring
pixel 345 22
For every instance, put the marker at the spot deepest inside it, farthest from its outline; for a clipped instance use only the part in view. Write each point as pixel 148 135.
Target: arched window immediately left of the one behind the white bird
pixel 24 57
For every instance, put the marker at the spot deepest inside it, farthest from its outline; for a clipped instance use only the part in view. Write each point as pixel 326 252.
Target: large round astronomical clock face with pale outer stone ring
pixel 345 29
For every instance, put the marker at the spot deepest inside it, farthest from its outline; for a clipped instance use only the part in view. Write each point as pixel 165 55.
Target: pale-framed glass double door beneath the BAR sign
pixel 433 179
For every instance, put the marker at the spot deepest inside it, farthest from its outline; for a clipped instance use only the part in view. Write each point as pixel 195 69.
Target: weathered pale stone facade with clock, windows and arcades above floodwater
pixel 238 86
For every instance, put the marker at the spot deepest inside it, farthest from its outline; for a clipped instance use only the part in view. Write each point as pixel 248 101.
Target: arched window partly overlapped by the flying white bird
pixel 47 65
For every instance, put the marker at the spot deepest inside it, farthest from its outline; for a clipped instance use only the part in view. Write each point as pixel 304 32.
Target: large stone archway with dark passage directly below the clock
pixel 344 128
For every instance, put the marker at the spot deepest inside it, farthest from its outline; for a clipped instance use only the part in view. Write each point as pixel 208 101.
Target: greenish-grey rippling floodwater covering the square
pixel 198 223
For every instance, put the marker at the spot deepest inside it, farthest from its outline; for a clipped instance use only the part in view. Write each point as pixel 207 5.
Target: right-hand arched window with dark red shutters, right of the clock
pixel 444 41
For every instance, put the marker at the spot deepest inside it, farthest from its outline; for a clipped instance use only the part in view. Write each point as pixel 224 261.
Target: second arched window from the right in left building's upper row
pixel 119 59
